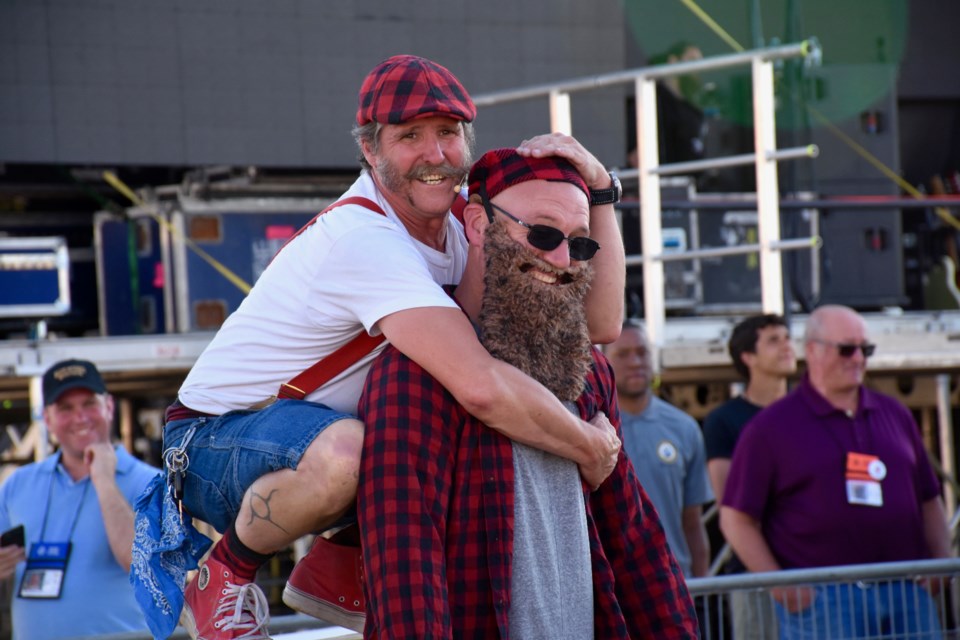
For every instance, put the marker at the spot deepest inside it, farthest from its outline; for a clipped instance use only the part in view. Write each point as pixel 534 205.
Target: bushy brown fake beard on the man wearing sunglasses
pixel 539 328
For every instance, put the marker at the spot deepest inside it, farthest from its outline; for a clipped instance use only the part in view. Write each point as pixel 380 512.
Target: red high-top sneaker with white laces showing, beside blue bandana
pixel 219 607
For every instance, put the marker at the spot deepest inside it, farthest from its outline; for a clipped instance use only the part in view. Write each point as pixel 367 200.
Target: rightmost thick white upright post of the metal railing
pixel 768 193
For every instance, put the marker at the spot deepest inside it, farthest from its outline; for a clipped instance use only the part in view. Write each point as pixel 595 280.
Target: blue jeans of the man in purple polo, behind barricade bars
pixel 896 609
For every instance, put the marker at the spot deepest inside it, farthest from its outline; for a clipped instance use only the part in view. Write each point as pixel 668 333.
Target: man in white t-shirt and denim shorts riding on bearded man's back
pixel 264 472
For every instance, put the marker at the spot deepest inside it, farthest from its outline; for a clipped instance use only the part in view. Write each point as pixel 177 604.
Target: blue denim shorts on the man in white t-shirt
pixel 228 453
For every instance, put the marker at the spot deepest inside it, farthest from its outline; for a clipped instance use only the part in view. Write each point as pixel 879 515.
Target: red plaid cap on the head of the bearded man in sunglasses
pixel 501 169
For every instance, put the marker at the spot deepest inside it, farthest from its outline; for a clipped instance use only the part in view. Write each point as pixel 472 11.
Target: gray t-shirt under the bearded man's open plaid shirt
pixel 551 585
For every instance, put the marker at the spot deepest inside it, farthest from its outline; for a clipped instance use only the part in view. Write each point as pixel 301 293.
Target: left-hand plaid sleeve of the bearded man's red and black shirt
pixel 406 479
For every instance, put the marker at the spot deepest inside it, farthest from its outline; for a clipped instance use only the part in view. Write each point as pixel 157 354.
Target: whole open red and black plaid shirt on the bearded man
pixel 436 519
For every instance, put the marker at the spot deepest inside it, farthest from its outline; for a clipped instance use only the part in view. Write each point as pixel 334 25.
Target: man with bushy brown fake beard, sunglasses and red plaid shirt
pixel 468 534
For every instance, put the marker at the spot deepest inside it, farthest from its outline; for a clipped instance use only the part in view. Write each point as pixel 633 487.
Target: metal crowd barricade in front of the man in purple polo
pixel 884 601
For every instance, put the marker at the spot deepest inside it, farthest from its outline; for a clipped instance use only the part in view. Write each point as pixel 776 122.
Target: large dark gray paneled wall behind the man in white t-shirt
pixel 274 82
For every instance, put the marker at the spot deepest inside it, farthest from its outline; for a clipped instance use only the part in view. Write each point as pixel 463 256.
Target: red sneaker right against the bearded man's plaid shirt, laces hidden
pixel 328 584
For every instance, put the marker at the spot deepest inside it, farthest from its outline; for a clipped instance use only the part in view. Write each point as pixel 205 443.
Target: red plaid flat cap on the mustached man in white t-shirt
pixel 402 88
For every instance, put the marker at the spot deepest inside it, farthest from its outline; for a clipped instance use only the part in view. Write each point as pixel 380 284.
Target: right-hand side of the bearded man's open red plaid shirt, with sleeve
pixel 639 587
